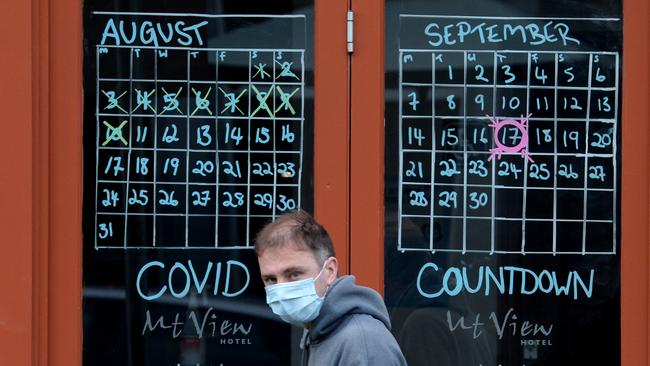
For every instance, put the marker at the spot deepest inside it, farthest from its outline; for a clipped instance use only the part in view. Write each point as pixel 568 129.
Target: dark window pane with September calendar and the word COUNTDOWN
pixel 502 181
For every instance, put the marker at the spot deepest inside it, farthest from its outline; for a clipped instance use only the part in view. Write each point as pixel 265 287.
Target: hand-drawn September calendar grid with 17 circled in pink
pixel 508 151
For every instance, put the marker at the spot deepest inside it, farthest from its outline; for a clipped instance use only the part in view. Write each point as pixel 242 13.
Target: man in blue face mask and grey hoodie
pixel 344 324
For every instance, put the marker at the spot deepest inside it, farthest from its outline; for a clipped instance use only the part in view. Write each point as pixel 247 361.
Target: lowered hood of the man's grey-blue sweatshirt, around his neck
pixel 342 299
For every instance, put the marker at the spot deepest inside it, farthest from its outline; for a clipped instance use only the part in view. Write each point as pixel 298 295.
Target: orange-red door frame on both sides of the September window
pixel 367 160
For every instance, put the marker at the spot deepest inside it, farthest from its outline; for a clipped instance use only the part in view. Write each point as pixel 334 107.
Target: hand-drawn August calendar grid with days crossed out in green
pixel 195 146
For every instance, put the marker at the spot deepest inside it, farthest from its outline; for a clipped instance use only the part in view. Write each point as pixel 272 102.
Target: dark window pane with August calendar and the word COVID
pixel 198 130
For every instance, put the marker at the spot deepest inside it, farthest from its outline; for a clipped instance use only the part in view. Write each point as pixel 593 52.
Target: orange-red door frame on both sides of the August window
pixel 41 322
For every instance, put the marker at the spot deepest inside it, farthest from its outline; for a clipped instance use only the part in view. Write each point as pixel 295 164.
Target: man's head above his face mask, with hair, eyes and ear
pixel 295 247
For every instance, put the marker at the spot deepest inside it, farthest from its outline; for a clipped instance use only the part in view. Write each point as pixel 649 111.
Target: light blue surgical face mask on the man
pixel 295 302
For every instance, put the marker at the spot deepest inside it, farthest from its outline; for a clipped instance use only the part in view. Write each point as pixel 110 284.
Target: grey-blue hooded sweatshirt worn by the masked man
pixel 352 328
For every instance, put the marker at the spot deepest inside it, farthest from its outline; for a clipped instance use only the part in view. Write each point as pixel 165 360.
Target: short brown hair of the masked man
pixel 297 228
